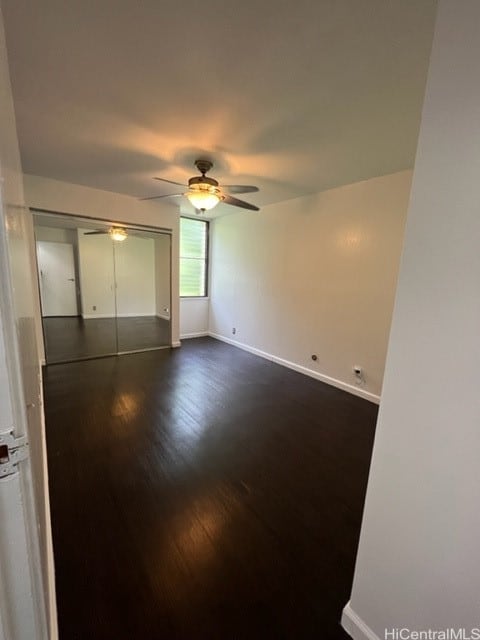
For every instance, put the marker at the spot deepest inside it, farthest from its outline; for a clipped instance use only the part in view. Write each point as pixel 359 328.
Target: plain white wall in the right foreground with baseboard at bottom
pixel 418 563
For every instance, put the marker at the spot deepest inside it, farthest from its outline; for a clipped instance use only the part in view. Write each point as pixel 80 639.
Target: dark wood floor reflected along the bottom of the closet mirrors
pixel 70 338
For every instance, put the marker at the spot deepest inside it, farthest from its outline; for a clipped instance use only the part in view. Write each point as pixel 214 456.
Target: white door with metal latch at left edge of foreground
pixel 27 605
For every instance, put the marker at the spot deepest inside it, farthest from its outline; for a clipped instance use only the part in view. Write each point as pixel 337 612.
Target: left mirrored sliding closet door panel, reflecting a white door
pixel 77 293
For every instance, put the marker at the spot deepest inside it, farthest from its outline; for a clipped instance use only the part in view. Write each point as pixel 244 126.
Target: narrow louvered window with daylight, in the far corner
pixel 193 257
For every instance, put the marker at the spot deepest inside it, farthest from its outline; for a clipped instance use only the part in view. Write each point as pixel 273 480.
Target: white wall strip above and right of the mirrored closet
pixel 53 195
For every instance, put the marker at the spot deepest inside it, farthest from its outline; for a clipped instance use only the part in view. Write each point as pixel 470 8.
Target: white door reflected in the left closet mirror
pixel 56 267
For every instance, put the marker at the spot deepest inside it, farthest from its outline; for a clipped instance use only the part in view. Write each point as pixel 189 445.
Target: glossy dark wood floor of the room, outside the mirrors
pixel 203 493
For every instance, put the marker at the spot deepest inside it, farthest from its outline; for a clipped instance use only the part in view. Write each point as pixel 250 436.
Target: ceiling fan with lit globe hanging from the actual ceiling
pixel 205 193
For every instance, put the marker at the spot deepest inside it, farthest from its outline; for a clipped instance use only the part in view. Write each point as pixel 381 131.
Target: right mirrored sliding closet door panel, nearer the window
pixel 142 277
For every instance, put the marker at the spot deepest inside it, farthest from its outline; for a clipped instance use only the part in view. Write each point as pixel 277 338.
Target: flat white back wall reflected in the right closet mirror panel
pixel 135 276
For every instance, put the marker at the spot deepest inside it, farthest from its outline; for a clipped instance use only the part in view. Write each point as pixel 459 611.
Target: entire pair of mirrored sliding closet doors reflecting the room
pixel 100 296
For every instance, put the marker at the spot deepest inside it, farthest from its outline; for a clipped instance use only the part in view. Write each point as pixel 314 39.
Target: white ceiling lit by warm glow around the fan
pixel 295 97
